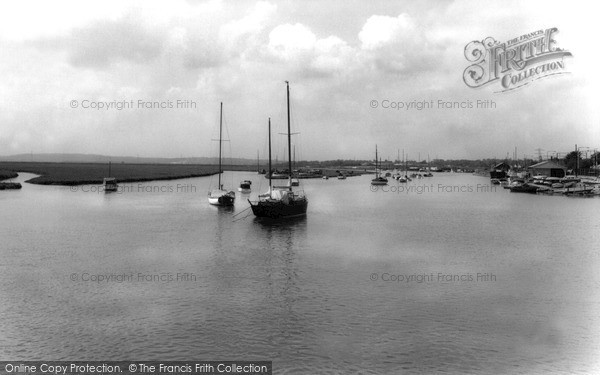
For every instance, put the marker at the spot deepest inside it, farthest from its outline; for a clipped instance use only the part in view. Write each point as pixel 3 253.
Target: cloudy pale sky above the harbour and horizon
pixel 346 61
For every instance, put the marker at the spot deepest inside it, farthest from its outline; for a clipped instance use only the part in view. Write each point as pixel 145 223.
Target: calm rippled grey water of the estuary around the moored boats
pixel 314 295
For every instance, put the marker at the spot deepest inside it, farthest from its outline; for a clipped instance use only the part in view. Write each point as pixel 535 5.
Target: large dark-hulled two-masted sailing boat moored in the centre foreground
pixel 282 201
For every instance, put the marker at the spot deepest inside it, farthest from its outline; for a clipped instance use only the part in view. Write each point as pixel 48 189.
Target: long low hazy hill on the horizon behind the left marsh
pixel 93 158
